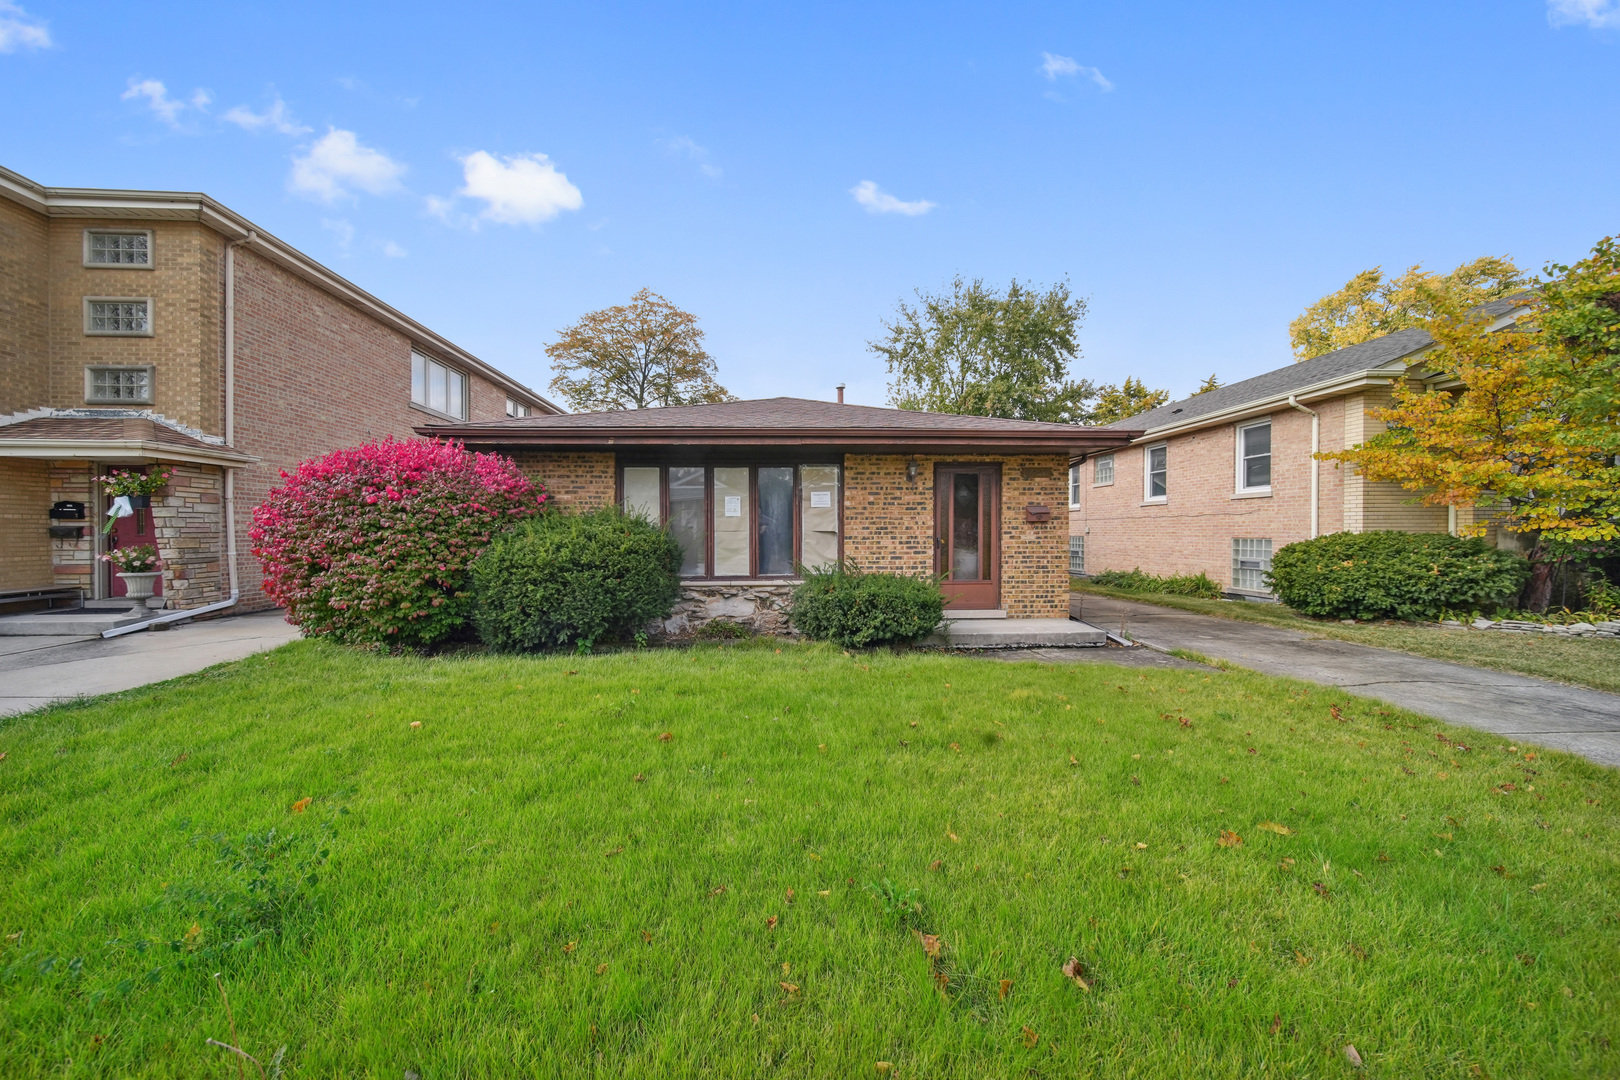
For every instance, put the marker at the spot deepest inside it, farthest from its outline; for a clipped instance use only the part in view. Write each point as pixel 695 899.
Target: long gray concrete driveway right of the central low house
pixel 1514 707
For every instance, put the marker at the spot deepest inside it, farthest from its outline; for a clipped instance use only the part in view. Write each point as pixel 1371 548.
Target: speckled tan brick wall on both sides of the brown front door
pixel 889 524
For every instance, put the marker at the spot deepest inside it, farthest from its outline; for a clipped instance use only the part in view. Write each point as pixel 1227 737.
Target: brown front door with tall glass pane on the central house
pixel 968 535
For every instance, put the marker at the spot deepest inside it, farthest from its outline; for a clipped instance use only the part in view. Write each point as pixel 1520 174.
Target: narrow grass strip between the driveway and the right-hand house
pixel 1585 663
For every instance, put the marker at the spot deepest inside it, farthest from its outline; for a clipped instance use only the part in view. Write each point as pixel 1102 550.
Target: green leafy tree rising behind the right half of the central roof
pixel 981 352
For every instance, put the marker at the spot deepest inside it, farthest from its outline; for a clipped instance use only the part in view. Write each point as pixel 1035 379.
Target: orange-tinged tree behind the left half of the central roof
pixel 647 354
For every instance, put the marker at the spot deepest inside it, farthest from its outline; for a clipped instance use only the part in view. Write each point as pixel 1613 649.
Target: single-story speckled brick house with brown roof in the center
pixel 756 490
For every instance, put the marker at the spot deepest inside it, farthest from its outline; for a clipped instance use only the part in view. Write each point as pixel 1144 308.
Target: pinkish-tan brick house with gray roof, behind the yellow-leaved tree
pixel 1219 482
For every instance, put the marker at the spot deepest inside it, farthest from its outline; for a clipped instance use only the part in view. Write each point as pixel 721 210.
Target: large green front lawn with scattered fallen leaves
pixel 535 882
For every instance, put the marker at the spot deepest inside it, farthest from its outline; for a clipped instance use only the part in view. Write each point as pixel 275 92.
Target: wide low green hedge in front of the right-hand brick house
pixel 1394 576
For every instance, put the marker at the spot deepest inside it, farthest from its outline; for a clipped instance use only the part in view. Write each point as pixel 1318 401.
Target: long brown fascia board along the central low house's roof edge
pixel 848 440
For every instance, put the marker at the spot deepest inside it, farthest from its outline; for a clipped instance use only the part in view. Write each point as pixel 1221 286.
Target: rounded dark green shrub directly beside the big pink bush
pixel 574 580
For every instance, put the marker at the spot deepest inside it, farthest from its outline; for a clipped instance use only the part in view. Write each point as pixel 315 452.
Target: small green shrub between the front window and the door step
pixel 861 610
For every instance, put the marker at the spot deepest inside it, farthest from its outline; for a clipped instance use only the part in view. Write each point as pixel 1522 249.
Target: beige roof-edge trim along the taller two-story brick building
pixel 194 206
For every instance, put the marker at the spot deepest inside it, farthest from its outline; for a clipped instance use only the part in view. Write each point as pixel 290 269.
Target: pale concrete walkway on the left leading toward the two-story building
pixel 45 670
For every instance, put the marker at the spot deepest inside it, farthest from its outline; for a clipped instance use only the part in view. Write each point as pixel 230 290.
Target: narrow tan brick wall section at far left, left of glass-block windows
pixel 25 304
